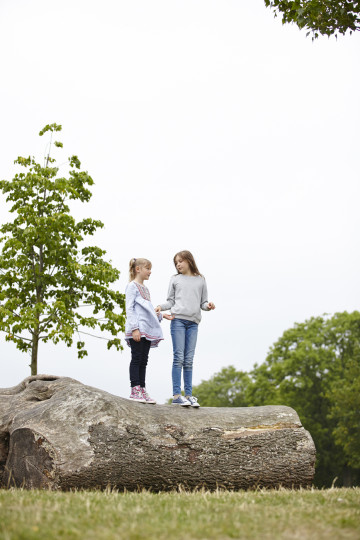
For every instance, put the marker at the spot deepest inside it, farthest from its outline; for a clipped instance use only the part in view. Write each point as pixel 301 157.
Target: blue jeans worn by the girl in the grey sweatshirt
pixel 184 336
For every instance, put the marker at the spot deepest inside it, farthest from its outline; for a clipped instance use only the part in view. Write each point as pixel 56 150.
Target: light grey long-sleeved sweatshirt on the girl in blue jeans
pixel 187 295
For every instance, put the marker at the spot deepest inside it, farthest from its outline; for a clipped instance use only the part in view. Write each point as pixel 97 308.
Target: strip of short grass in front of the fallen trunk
pixel 90 515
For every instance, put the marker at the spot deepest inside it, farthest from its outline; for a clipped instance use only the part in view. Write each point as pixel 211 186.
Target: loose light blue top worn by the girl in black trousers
pixel 141 315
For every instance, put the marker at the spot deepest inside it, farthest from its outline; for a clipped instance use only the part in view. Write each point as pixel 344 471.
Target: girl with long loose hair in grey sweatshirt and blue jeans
pixel 187 296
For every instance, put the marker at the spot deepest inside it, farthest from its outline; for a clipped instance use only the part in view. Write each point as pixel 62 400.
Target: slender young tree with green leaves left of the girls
pixel 46 280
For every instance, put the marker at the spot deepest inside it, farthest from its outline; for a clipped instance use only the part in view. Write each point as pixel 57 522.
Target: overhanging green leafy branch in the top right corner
pixel 325 17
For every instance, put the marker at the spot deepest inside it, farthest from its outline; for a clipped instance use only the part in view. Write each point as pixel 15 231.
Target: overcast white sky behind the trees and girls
pixel 208 126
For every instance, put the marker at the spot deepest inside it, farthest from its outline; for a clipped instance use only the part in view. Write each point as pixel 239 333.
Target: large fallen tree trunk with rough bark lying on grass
pixel 58 433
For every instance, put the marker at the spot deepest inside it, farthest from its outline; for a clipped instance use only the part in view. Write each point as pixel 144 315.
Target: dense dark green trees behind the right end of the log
pixel 315 369
